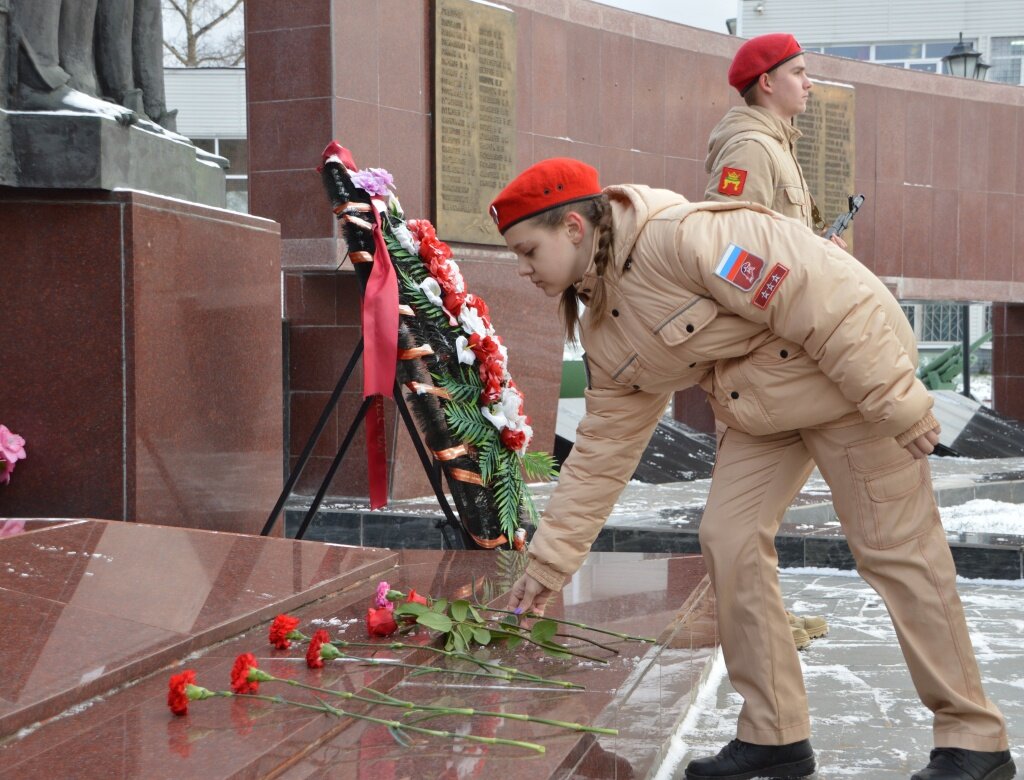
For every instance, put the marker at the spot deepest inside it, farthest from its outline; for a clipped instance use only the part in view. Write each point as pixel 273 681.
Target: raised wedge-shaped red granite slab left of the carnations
pixel 93 605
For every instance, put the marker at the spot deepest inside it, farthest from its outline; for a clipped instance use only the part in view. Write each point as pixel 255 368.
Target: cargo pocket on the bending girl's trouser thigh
pixel 894 503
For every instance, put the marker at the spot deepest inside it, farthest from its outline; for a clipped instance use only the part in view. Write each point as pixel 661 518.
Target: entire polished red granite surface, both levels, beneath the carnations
pixel 100 615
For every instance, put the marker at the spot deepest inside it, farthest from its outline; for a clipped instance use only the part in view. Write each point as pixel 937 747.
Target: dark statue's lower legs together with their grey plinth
pixel 83 103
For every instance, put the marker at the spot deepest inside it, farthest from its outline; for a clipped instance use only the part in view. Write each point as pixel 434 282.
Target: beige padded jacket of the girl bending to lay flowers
pixel 831 343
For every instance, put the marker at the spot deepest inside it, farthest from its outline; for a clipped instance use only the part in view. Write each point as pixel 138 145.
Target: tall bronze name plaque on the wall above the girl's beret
pixel 475 116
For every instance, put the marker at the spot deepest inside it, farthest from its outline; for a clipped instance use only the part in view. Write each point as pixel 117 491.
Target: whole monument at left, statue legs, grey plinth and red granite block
pixel 143 351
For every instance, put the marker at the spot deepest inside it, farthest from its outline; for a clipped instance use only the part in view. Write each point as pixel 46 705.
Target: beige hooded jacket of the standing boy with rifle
pixel 752 157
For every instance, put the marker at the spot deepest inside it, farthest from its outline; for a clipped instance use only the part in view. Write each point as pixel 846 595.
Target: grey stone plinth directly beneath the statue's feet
pixel 67 151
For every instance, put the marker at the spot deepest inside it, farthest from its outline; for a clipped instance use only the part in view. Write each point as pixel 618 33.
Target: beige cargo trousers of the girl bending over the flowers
pixel 885 503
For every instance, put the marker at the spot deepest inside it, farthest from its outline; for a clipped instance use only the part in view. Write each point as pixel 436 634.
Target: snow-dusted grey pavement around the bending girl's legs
pixel 867 720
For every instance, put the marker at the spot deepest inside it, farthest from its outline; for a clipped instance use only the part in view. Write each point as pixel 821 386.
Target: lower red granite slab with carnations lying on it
pixel 644 690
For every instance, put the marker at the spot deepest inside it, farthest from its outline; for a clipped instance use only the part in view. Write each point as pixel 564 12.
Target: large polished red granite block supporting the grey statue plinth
pixel 141 359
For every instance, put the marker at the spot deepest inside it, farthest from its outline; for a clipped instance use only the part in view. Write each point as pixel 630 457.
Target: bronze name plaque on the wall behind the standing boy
pixel 826 153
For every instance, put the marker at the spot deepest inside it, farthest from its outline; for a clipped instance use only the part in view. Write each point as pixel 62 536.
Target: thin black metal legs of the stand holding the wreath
pixel 452 531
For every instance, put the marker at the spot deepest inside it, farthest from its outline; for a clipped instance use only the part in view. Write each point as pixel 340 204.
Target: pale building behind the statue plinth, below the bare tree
pixel 211 106
